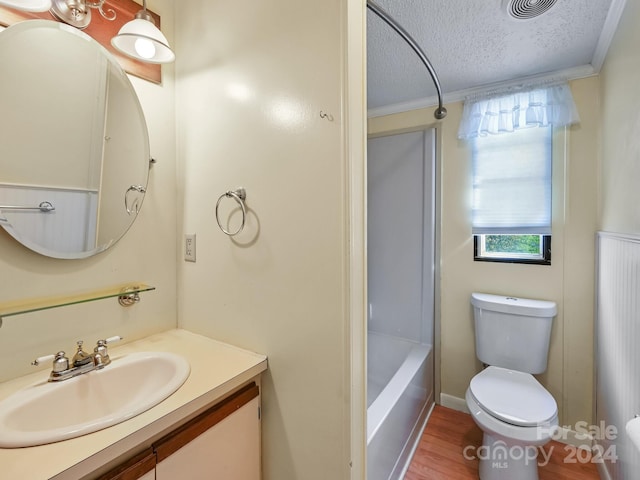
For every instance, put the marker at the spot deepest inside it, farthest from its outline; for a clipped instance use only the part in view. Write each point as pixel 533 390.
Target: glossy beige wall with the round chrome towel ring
pixel 252 80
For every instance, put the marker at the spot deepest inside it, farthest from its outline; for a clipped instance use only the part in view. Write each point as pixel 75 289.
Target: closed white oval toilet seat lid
pixel 513 397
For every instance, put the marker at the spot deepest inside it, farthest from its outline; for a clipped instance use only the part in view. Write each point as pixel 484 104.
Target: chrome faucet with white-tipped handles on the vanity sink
pixel 81 362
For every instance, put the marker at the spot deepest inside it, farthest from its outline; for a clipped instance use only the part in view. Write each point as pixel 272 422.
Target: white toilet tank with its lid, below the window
pixel 513 332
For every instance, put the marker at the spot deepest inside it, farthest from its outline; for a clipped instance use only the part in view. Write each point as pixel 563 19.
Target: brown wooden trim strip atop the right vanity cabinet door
pixel 203 422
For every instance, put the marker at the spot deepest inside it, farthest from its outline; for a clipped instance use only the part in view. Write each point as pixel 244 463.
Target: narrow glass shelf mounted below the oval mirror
pixel 128 291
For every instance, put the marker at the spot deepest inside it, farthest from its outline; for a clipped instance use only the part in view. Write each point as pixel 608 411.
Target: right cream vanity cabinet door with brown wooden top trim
pixel 223 443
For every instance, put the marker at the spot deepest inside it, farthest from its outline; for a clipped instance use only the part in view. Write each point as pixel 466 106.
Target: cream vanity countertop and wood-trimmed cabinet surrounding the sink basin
pixel 219 401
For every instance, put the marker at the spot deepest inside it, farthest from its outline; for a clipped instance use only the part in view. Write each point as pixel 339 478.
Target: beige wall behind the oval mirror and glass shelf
pixel 147 253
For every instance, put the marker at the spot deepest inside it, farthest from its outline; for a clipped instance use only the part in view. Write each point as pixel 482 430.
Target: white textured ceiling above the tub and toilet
pixel 475 44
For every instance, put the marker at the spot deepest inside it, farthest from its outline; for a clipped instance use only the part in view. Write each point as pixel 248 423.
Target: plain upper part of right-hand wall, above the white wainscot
pixel 620 170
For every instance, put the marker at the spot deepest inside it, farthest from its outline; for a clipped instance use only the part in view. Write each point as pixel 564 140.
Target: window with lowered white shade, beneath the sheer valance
pixel 512 196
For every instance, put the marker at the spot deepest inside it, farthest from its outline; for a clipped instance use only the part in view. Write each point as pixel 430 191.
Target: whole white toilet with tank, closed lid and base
pixel 515 412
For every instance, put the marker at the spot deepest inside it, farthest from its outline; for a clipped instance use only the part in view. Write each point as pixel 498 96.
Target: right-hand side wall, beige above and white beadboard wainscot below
pixel 617 394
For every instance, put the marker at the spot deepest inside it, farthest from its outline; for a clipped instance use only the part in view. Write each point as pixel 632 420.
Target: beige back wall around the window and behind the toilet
pixel 568 281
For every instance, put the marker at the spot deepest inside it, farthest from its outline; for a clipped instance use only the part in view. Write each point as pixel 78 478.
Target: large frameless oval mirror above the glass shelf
pixel 74 147
